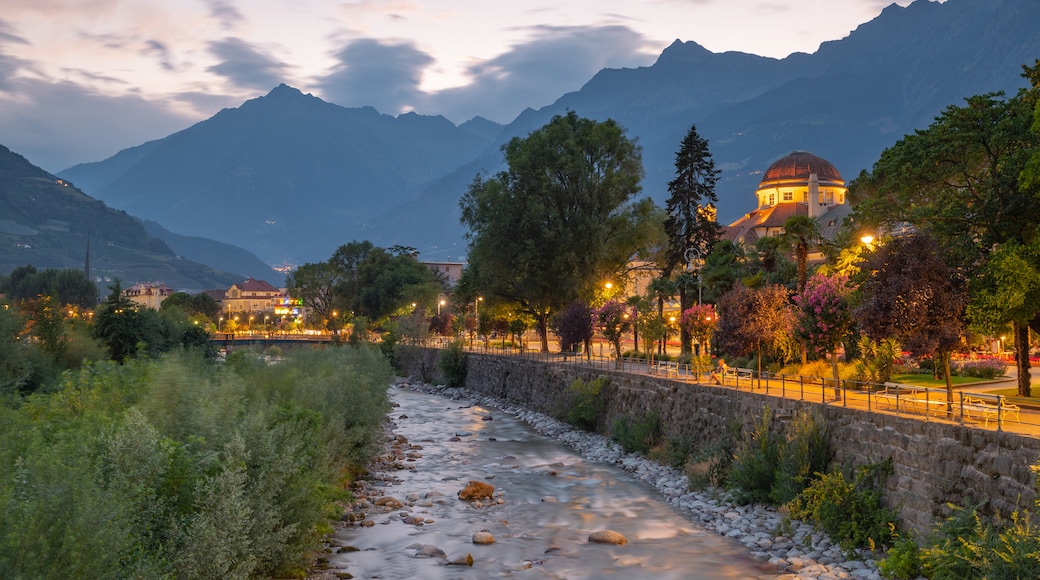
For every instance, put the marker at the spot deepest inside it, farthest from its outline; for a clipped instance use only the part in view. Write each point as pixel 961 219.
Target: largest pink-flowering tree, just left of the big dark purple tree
pixel 824 317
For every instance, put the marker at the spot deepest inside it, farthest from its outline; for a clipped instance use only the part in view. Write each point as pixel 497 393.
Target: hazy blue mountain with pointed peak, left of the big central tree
pixel 288 175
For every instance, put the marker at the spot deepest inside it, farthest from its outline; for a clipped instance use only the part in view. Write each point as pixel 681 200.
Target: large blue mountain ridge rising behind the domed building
pixel 847 102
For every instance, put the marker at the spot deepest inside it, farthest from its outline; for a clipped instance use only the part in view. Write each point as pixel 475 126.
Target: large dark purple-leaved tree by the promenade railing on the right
pixel 914 297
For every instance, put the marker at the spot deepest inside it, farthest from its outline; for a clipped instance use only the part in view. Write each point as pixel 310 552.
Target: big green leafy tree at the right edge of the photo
pixel 960 181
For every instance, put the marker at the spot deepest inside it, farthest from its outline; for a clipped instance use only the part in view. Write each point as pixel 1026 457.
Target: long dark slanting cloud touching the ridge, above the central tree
pixel 555 61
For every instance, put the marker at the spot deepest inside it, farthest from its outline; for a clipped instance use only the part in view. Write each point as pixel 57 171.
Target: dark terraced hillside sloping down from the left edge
pixel 48 223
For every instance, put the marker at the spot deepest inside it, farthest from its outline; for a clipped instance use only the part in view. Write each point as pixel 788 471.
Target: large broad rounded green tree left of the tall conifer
pixel 544 232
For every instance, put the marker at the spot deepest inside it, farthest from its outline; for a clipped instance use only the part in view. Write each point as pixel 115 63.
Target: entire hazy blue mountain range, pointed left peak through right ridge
pixel 290 176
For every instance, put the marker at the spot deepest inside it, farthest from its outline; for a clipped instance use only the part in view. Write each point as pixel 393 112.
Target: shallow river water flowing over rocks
pixel 554 498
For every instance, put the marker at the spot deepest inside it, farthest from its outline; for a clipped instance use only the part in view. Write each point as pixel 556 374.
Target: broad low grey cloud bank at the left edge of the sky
pixel 57 125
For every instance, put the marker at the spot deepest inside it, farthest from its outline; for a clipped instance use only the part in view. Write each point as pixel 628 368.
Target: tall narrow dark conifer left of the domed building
pixel 691 225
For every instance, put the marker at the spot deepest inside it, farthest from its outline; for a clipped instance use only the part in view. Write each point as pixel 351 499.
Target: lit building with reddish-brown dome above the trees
pixel 798 184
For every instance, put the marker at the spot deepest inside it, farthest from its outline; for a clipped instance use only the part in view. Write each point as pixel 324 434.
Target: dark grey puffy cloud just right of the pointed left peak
pixel 378 73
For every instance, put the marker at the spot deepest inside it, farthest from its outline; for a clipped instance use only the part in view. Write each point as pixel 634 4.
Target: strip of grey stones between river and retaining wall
pixel 797 550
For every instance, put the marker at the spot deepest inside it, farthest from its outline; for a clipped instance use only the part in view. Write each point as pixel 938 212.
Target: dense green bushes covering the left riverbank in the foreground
pixel 181 468
